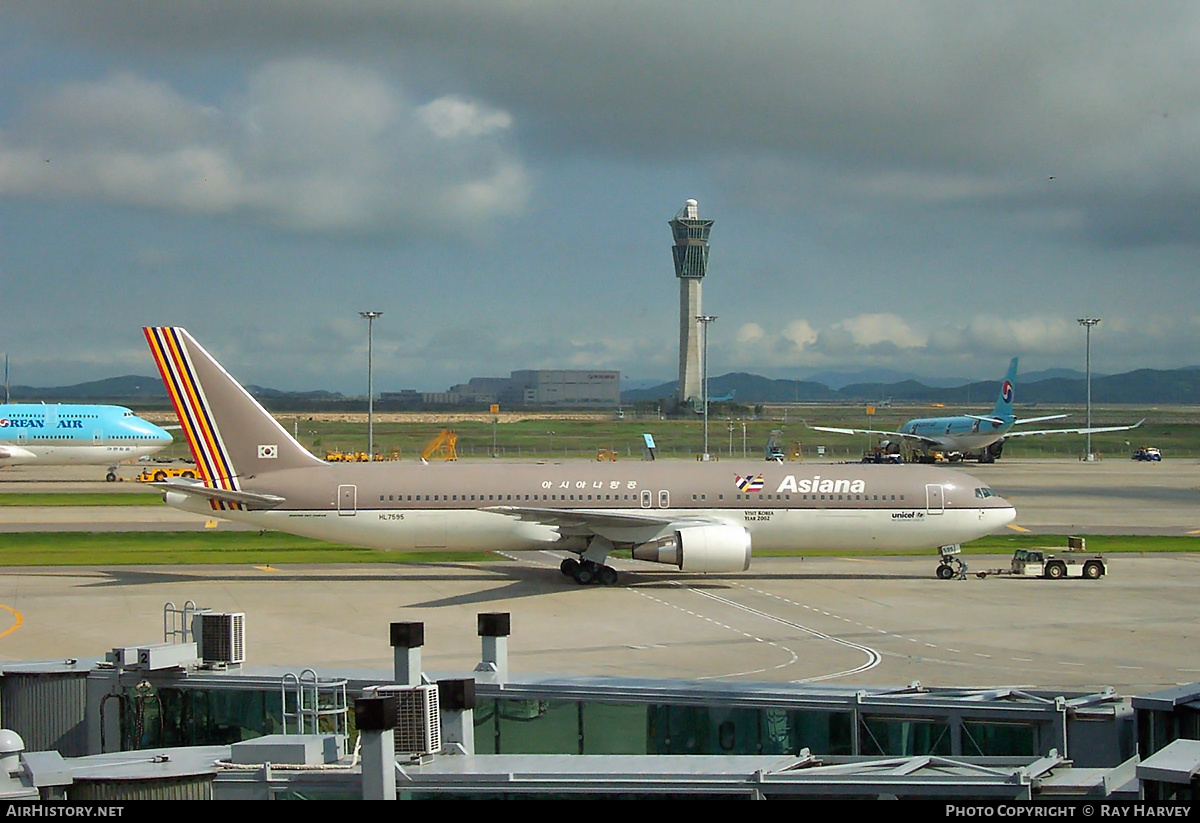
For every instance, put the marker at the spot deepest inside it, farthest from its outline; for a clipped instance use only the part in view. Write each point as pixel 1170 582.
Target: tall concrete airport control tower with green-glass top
pixel 691 254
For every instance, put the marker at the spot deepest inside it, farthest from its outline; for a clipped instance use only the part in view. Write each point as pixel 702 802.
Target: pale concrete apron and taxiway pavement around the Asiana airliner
pixel 866 621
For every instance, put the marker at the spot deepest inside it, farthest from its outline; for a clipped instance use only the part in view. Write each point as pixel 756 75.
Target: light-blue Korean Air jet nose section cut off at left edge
pixel 67 435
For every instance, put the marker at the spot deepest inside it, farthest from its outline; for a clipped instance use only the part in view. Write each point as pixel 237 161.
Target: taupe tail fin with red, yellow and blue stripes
pixel 230 434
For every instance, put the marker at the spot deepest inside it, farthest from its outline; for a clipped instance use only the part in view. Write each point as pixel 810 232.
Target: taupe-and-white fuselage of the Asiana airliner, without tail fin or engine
pixel 472 508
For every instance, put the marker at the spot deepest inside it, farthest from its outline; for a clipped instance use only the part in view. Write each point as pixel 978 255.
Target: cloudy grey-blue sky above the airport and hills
pixel 933 188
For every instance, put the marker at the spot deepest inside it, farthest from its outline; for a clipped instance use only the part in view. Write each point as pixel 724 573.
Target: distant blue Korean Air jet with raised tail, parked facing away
pixel 975 436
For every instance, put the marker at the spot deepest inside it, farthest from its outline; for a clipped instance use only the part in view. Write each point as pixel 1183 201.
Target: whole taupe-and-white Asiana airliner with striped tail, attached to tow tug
pixel 699 518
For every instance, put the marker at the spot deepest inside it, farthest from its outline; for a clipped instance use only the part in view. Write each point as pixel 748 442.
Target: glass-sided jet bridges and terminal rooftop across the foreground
pixel 190 719
